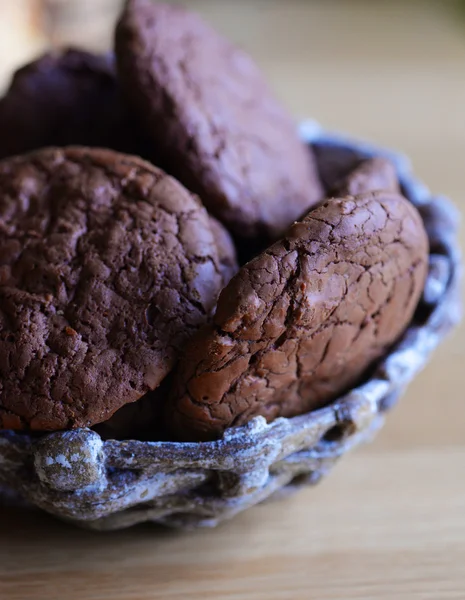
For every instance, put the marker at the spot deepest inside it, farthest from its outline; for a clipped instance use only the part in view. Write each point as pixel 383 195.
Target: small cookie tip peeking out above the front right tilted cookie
pixel 370 175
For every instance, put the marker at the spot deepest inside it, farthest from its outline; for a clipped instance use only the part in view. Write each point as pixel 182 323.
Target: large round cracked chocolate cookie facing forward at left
pixel 107 267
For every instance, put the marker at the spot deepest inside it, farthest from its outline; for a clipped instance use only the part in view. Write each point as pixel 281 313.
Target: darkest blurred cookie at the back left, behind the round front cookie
pixel 66 98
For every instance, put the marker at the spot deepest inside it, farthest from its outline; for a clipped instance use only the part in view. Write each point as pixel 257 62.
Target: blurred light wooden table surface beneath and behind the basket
pixel 390 521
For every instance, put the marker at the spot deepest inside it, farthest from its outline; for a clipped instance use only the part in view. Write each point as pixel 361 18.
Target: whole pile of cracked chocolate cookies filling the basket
pixel 174 261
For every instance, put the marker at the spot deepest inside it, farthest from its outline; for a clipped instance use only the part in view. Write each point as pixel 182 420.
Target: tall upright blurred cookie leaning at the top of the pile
pixel 221 131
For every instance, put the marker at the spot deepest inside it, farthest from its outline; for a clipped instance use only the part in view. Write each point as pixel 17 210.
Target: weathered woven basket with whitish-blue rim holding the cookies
pixel 112 484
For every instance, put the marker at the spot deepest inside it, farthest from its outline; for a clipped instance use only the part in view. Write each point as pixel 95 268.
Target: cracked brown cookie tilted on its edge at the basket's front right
pixel 303 321
